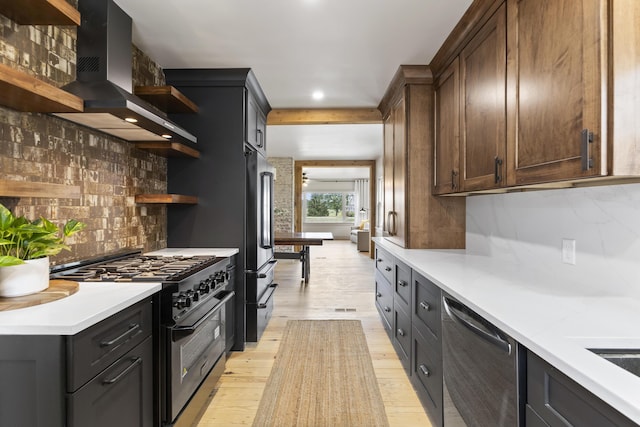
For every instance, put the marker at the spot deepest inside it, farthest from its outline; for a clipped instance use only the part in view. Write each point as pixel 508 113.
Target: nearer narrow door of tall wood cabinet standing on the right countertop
pixel 399 171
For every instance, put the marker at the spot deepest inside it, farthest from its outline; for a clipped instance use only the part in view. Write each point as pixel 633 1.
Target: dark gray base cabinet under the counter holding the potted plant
pixel 102 376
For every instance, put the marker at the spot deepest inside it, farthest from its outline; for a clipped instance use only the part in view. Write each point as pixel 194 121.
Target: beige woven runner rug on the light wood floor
pixel 322 376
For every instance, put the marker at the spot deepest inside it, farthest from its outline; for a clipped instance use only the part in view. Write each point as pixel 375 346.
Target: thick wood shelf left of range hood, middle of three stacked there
pixel 23 92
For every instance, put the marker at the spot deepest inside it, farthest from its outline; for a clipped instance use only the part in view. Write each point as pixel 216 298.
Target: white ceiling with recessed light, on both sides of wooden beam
pixel 349 49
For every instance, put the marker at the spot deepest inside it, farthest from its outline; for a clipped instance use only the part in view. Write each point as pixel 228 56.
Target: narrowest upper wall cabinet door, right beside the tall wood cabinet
pixel 447 126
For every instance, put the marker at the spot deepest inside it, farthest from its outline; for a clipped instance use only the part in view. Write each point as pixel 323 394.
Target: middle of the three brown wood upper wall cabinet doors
pixel 483 106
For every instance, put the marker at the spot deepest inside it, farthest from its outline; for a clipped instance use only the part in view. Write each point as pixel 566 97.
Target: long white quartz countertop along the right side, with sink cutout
pixel 551 314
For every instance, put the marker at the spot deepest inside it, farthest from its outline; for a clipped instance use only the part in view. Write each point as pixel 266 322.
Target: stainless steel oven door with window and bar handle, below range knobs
pixel 195 344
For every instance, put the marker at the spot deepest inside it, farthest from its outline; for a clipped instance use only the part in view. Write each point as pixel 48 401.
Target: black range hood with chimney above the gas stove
pixel 104 80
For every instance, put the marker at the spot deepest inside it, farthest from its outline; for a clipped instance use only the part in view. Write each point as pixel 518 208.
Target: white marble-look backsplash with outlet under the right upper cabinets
pixel 528 228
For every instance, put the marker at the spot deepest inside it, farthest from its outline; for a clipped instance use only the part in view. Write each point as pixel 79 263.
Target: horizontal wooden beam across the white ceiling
pixel 324 116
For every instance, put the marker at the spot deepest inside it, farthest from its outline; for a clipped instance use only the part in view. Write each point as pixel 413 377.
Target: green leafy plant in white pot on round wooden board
pixel 25 247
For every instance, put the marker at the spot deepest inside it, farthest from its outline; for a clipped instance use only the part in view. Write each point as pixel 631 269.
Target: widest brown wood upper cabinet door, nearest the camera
pixel 554 79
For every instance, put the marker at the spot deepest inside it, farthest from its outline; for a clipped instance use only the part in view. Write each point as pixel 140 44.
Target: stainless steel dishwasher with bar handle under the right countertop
pixel 481 370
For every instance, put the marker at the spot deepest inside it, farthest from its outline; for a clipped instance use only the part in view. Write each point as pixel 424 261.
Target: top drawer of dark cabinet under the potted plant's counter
pixel 96 348
